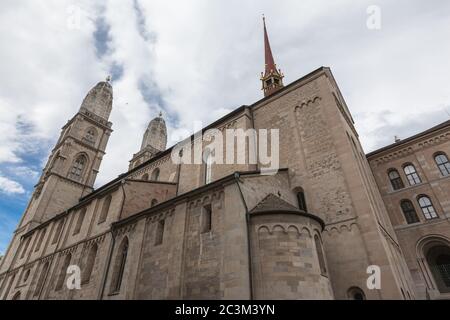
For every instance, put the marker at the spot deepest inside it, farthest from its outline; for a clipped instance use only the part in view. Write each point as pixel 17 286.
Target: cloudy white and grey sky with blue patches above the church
pixel 199 59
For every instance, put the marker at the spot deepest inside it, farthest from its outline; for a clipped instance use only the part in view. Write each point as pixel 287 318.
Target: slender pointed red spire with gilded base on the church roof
pixel 271 78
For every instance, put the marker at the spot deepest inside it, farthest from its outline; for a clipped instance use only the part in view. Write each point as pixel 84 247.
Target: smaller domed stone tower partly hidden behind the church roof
pixel 153 142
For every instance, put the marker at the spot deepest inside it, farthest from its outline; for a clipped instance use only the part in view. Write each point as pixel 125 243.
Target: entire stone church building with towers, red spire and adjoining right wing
pixel 166 230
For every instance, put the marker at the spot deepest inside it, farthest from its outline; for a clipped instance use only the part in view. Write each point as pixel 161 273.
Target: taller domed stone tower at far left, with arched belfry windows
pixel 74 162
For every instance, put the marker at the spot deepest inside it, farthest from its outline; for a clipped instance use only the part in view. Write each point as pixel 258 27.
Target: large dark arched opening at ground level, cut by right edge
pixel 438 258
